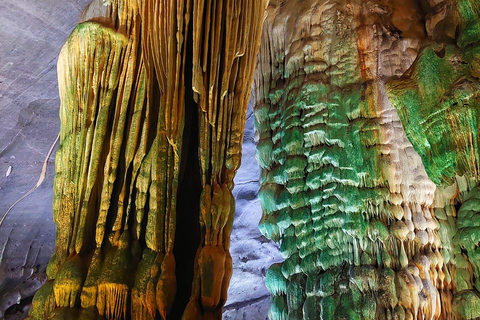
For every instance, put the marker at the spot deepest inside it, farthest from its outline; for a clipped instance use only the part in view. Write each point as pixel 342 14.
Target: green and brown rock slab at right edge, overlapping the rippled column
pixel 438 103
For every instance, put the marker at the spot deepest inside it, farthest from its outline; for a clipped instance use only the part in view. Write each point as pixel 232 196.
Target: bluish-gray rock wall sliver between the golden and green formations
pixel 252 253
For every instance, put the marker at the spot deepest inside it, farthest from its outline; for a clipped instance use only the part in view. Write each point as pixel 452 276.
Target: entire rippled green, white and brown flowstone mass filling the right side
pixel 365 232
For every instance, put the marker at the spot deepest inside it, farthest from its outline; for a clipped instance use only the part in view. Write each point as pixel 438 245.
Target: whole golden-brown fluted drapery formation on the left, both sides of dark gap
pixel 130 77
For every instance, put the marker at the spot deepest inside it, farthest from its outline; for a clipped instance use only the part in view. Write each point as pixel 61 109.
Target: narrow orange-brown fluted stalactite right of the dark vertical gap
pixel 222 50
